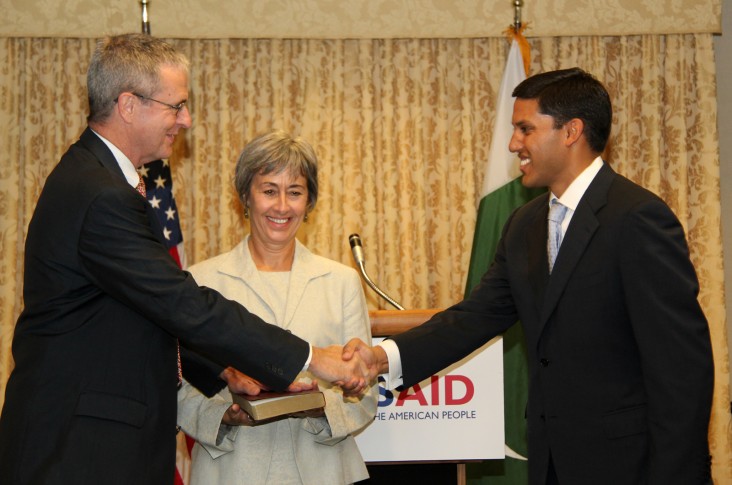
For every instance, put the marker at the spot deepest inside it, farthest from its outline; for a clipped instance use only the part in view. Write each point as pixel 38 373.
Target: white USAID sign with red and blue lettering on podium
pixel 455 415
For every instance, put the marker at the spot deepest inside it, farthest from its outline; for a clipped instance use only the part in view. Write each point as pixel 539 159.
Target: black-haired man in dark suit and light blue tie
pixel 620 359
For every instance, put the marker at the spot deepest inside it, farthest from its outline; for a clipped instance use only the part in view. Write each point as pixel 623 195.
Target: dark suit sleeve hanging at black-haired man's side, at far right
pixel 673 338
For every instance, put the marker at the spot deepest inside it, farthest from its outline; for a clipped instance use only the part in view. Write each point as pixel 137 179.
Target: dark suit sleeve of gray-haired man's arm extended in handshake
pixel 123 257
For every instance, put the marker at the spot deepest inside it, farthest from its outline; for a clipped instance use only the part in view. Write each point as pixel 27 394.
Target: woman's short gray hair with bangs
pixel 276 152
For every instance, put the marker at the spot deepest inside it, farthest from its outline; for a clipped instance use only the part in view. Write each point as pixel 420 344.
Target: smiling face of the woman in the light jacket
pixel 277 205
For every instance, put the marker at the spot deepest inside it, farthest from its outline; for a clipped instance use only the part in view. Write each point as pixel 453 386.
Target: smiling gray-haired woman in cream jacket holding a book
pixel 274 276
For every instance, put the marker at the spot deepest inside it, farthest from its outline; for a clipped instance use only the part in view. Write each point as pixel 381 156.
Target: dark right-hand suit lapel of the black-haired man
pixel 582 227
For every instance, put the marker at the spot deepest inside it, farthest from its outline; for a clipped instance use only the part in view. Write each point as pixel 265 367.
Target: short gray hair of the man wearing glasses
pixel 127 63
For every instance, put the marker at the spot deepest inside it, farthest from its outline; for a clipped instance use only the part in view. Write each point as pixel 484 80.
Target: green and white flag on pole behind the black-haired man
pixel 502 193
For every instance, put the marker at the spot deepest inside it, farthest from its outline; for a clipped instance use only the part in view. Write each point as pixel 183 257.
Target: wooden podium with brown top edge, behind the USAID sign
pixel 385 323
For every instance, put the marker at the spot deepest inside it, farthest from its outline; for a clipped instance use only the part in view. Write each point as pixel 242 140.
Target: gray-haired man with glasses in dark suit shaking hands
pixel 92 397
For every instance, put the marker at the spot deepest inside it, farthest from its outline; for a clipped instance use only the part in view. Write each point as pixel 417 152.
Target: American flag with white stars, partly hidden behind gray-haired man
pixel 159 187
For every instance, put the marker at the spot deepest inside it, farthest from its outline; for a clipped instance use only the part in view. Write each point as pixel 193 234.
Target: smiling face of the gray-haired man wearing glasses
pixel 157 125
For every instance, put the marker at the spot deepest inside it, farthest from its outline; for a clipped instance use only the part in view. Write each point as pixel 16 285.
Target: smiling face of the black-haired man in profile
pixel 542 148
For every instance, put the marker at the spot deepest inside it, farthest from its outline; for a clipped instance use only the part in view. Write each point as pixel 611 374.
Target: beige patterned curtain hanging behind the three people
pixel 402 129
